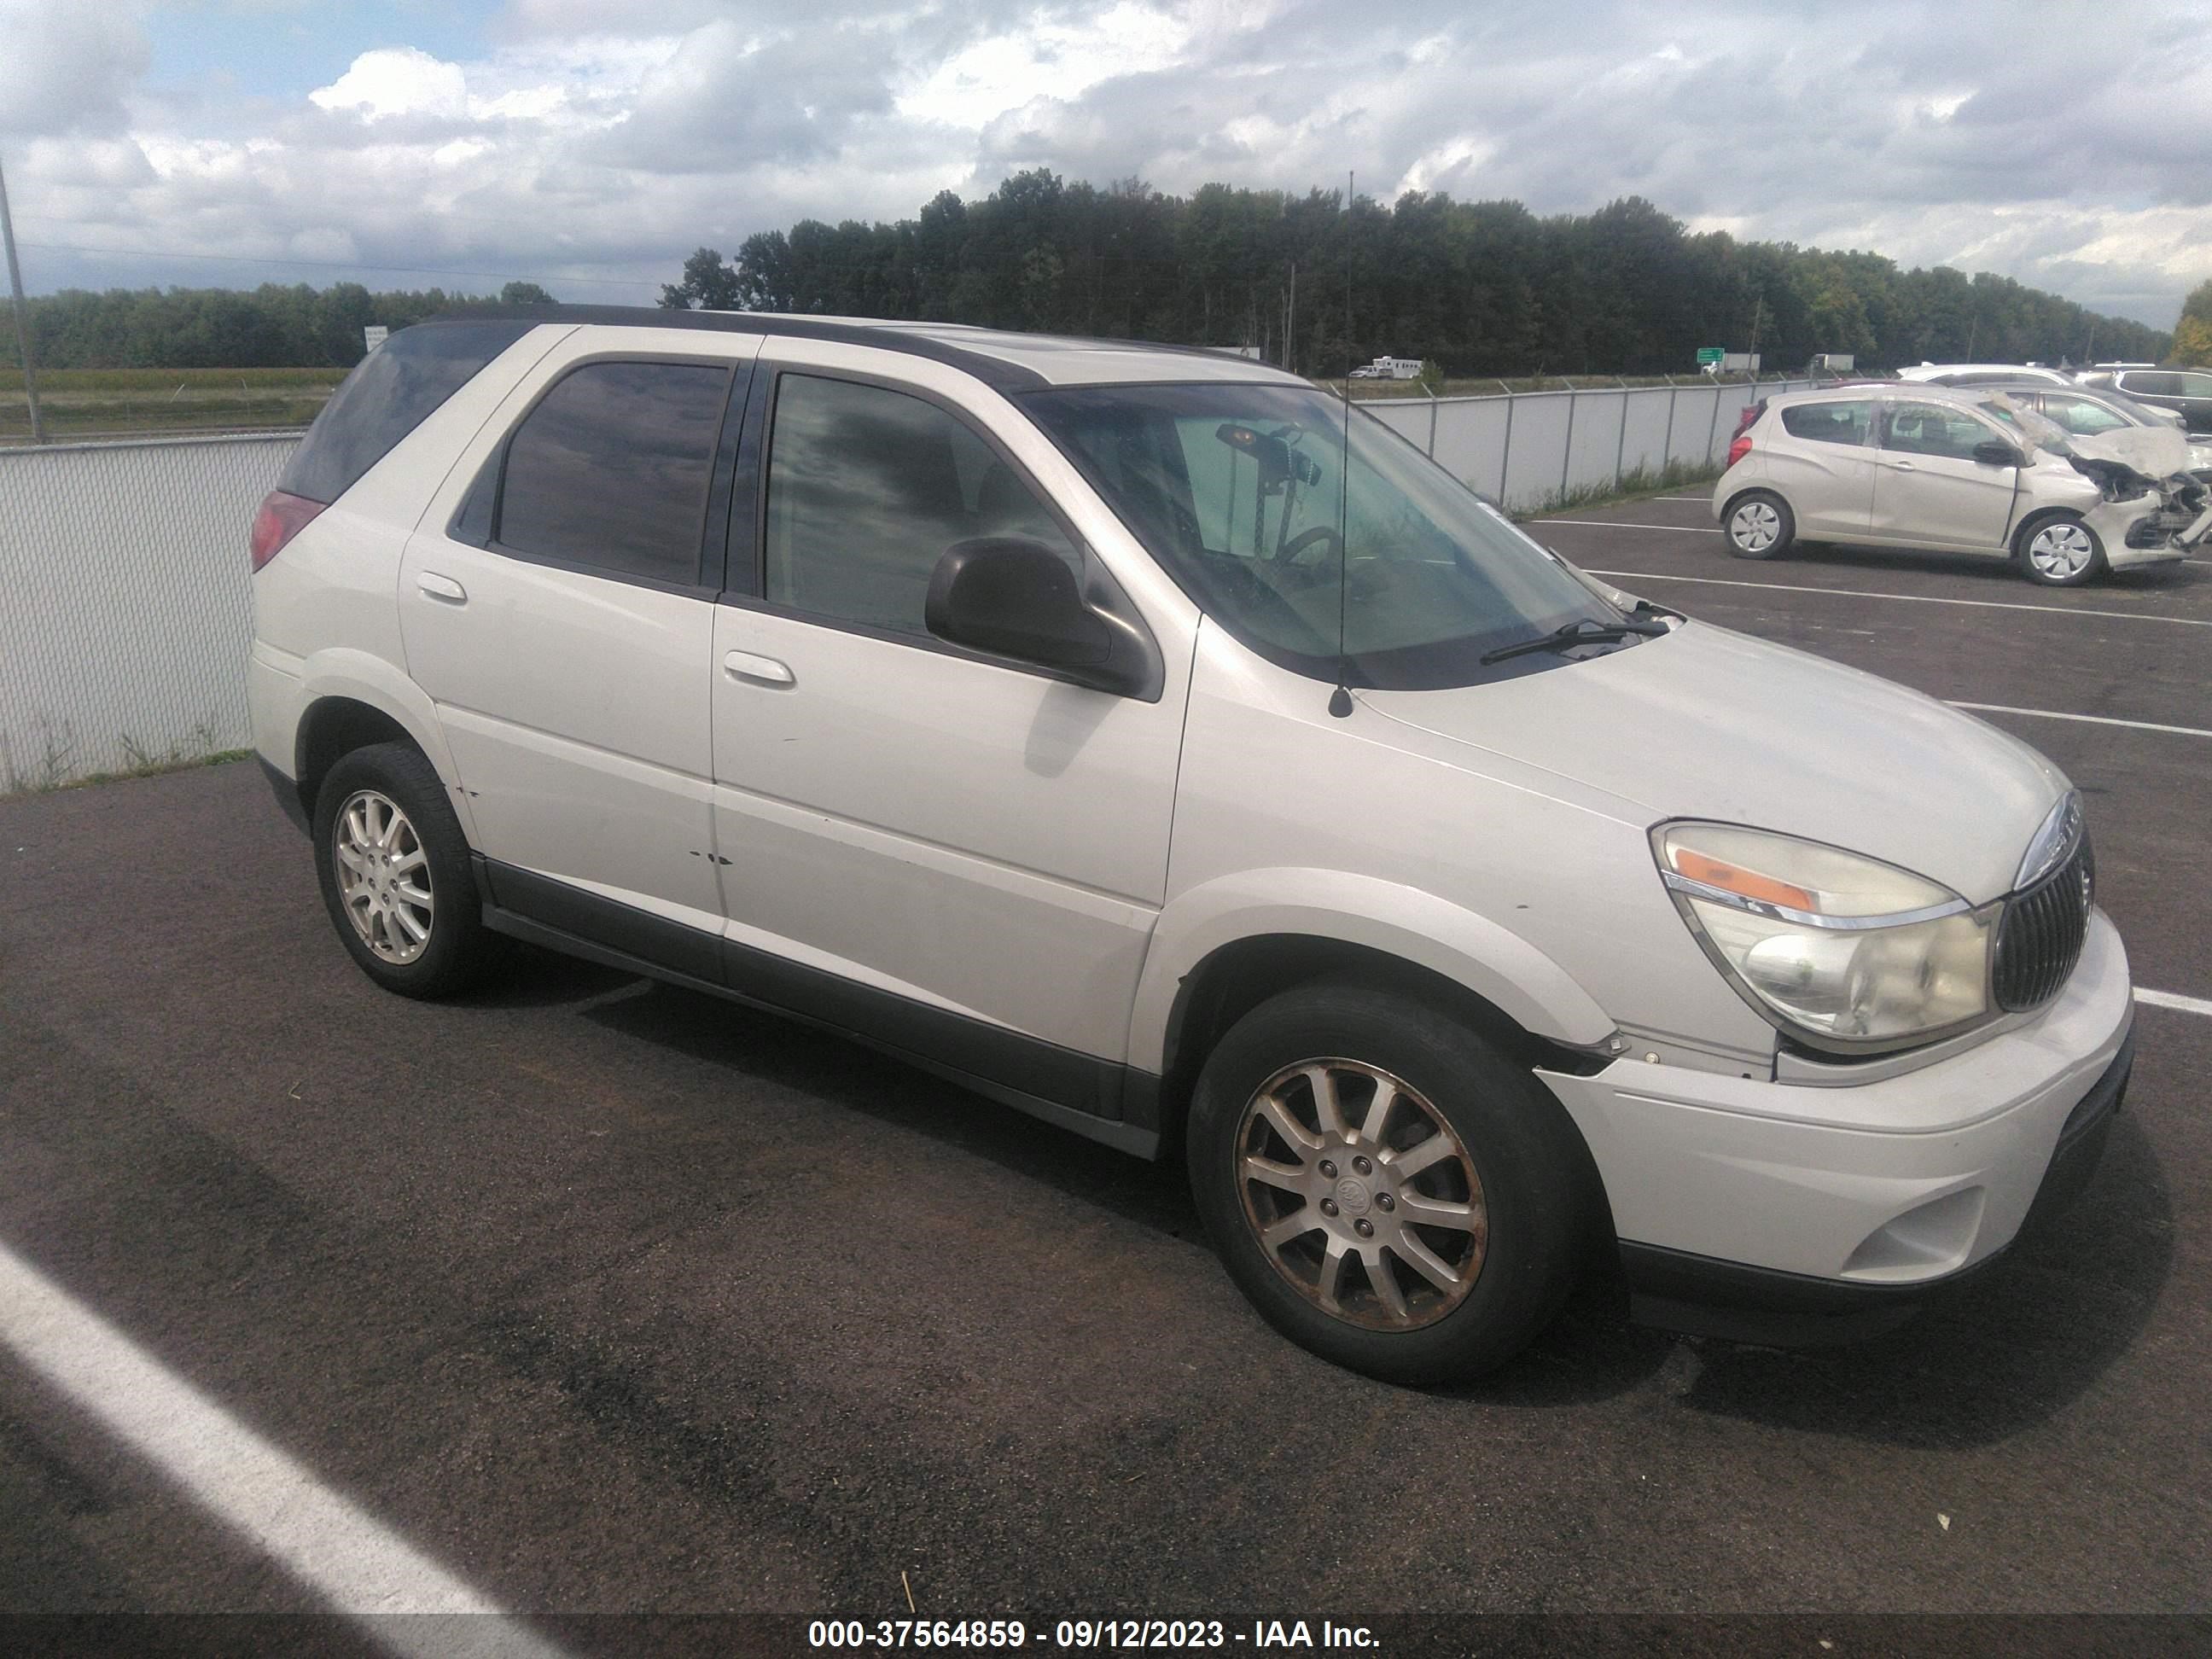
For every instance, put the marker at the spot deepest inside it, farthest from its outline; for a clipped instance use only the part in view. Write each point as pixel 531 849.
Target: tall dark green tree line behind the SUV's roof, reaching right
pixel 1485 289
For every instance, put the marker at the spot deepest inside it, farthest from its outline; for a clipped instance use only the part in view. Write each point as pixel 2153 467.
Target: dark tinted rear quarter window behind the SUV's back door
pixel 388 395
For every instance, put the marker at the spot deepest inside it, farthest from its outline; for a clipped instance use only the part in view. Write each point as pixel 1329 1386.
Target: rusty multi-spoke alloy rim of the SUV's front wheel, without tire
pixel 1361 1196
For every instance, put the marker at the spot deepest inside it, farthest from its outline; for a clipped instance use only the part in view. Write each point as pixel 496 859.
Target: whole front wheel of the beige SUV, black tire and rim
pixel 1386 1187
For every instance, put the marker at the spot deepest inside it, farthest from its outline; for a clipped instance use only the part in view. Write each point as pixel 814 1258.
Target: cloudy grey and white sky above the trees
pixel 589 145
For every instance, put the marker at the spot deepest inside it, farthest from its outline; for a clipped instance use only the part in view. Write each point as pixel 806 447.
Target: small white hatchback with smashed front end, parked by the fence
pixel 1959 472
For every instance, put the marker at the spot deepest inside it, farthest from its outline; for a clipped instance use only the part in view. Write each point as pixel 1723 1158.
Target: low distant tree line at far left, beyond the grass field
pixel 222 328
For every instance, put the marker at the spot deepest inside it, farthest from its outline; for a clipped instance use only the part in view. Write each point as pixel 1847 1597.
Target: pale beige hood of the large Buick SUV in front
pixel 1713 724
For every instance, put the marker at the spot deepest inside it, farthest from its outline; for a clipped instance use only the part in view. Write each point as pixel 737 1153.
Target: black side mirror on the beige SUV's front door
pixel 1012 596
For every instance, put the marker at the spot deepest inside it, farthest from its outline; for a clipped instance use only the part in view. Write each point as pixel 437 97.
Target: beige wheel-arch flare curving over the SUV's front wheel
pixel 1359 910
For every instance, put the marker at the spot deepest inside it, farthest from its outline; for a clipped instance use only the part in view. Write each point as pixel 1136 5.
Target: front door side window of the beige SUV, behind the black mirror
pixel 868 488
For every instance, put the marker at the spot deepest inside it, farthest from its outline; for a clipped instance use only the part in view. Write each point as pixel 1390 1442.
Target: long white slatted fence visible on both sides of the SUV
pixel 127 605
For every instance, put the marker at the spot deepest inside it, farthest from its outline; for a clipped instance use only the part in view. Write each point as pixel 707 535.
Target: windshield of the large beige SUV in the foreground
pixel 1240 490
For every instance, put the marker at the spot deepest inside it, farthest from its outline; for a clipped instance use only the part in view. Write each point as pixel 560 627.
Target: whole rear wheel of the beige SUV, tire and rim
pixel 395 870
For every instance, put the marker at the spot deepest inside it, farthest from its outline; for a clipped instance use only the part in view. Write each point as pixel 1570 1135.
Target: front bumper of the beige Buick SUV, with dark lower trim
pixel 1837 1200
